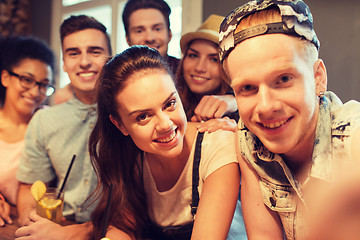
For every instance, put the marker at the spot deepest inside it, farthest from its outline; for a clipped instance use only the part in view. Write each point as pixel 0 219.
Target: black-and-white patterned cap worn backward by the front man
pixel 296 20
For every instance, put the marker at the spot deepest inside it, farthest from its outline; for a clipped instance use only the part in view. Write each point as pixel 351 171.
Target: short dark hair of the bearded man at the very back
pixel 133 5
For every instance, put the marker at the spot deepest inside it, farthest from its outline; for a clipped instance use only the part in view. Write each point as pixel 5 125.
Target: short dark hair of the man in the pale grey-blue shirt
pixel 82 22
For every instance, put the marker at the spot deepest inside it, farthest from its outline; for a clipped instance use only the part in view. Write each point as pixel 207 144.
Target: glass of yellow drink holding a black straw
pixel 50 205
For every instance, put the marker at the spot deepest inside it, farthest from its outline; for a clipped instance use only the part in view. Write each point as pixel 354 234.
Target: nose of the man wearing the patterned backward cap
pixel 267 101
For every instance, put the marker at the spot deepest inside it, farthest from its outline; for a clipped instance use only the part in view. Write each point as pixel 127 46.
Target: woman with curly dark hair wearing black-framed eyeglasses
pixel 26 68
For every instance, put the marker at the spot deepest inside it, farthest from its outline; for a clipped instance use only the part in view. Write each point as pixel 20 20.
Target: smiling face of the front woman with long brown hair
pixel 152 114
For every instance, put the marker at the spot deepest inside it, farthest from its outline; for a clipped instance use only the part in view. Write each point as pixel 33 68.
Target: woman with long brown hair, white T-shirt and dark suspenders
pixel 143 146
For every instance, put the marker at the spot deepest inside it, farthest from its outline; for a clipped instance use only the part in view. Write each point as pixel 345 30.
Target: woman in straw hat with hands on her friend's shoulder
pixel 203 85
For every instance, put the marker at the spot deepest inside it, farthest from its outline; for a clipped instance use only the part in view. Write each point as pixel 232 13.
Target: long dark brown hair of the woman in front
pixel 115 157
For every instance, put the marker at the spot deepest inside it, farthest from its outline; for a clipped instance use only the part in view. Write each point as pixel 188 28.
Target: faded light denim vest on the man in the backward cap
pixel 280 189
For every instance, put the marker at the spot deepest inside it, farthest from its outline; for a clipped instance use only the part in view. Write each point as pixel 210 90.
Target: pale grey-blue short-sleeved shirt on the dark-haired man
pixel 53 136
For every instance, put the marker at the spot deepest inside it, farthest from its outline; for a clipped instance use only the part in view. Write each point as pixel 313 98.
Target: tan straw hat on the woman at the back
pixel 209 30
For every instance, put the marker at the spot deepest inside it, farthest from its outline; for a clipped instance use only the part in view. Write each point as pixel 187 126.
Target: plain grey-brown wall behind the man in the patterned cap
pixel 337 25
